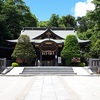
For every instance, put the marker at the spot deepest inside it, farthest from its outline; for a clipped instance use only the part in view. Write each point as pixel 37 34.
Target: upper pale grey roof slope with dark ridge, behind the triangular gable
pixel 61 32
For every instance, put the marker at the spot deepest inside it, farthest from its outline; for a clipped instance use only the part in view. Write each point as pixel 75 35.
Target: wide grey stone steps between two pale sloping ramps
pixel 48 70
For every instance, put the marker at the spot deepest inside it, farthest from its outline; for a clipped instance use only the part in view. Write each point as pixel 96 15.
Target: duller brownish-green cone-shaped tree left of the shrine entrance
pixel 24 50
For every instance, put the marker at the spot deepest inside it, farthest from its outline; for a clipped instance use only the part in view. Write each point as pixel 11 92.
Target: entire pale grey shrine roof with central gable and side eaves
pixel 61 33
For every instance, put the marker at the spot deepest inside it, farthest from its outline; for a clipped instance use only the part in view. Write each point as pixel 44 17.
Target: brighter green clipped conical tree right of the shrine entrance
pixel 71 49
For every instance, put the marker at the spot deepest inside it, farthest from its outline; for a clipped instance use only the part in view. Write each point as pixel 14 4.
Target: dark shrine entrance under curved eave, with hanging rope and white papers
pixel 48 55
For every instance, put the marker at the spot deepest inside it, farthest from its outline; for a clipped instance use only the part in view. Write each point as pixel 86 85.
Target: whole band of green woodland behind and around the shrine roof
pixel 15 14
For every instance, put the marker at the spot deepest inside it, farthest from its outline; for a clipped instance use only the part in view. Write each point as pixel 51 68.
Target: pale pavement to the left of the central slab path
pixel 14 88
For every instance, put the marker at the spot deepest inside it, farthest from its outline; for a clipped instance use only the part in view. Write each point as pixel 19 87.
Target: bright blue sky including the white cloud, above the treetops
pixel 43 9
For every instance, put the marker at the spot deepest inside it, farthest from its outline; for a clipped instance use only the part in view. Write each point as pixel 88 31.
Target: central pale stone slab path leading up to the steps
pixel 48 88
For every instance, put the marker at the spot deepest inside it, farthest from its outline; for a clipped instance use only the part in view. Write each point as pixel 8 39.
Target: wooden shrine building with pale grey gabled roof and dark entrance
pixel 48 43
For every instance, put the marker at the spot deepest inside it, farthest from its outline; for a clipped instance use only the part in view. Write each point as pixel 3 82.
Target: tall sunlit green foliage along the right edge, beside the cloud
pixel 93 30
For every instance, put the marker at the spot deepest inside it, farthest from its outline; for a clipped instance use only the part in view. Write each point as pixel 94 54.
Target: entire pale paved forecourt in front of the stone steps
pixel 50 87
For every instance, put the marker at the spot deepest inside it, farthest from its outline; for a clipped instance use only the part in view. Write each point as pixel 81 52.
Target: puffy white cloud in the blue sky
pixel 81 8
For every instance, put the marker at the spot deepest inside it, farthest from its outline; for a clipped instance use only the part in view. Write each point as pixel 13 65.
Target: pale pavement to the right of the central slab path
pixel 85 87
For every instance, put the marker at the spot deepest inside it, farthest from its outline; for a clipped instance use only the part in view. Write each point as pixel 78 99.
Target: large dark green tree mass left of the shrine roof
pixel 14 15
